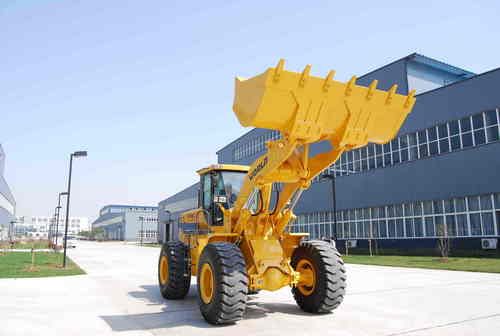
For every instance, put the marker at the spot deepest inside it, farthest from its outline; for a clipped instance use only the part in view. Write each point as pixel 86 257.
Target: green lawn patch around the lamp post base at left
pixel 18 265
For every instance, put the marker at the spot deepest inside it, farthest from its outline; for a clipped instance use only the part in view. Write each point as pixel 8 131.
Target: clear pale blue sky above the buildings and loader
pixel 146 86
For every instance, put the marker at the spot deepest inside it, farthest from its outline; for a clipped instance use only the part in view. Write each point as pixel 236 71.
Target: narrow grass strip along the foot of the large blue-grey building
pixel 489 265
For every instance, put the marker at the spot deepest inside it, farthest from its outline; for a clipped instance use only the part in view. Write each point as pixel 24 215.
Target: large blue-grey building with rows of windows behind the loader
pixel 440 176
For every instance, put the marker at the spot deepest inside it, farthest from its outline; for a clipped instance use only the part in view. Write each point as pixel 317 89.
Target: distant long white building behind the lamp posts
pixel 39 227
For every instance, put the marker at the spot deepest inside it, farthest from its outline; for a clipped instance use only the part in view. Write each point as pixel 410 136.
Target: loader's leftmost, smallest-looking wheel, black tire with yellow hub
pixel 174 273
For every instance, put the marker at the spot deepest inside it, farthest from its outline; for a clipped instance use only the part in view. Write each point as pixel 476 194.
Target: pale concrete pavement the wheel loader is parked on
pixel 119 296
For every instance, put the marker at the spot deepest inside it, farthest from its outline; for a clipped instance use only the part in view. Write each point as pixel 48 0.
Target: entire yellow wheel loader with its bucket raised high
pixel 237 241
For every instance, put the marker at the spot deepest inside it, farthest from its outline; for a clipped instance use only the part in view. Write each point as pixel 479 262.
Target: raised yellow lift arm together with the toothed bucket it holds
pixel 306 110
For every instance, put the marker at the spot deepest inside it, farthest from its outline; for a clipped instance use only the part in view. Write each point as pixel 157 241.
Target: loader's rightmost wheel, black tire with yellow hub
pixel 327 290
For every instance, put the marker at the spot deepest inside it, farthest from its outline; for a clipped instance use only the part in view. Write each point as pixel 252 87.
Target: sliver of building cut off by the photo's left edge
pixel 7 202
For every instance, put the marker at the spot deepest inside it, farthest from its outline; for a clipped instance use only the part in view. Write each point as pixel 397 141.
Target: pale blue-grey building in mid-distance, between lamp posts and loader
pixel 128 222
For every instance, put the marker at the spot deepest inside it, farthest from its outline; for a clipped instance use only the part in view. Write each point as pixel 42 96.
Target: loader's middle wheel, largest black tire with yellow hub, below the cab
pixel 222 283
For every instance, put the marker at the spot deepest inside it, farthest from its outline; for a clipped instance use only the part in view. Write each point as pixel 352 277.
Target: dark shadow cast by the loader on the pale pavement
pixel 185 312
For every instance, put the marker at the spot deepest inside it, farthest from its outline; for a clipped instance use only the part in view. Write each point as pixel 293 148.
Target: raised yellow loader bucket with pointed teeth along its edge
pixel 310 108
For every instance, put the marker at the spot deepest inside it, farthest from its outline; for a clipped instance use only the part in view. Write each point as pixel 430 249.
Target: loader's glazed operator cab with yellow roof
pixel 219 184
